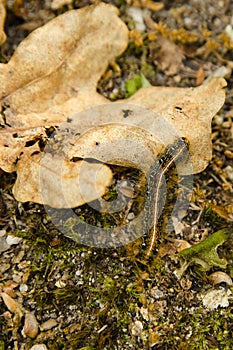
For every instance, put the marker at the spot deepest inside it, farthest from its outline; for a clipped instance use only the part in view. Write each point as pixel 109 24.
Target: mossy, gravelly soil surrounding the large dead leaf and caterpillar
pixel 77 297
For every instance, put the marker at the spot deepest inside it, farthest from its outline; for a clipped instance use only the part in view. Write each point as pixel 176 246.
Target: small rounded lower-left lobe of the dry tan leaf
pixel 58 182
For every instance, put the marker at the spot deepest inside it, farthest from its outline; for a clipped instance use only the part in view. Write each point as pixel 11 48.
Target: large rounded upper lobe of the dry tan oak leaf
pixel 74 50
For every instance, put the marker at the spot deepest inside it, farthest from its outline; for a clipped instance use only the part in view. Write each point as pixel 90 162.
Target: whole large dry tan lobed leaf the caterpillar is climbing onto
pixel 44 87
